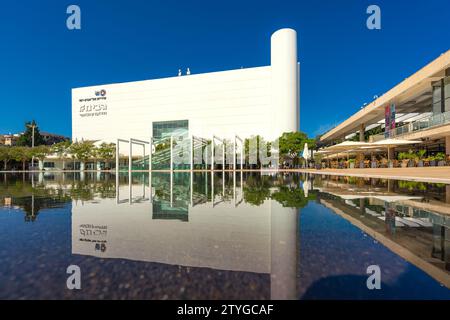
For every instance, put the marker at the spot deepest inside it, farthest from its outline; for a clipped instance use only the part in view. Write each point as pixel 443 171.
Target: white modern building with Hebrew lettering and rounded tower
pixel 251 101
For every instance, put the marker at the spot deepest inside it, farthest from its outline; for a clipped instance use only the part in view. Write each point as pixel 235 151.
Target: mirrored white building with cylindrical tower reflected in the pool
pixel 195 220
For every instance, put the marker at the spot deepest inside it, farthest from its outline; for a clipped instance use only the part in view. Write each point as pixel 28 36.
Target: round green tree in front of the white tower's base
pixel 291 144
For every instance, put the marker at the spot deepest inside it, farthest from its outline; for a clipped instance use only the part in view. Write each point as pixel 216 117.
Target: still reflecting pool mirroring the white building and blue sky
pixel 222 236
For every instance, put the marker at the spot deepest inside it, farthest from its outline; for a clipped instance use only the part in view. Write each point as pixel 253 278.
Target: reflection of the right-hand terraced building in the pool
pixel 415 215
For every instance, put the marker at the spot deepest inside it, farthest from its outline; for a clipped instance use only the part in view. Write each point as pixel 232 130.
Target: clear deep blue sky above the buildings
pixel 343 64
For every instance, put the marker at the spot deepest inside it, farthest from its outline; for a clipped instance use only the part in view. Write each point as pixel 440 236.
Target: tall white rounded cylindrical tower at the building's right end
pixel 285 81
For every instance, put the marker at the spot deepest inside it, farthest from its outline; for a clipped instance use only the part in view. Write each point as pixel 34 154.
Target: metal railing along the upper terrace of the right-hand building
pixel 419 125
